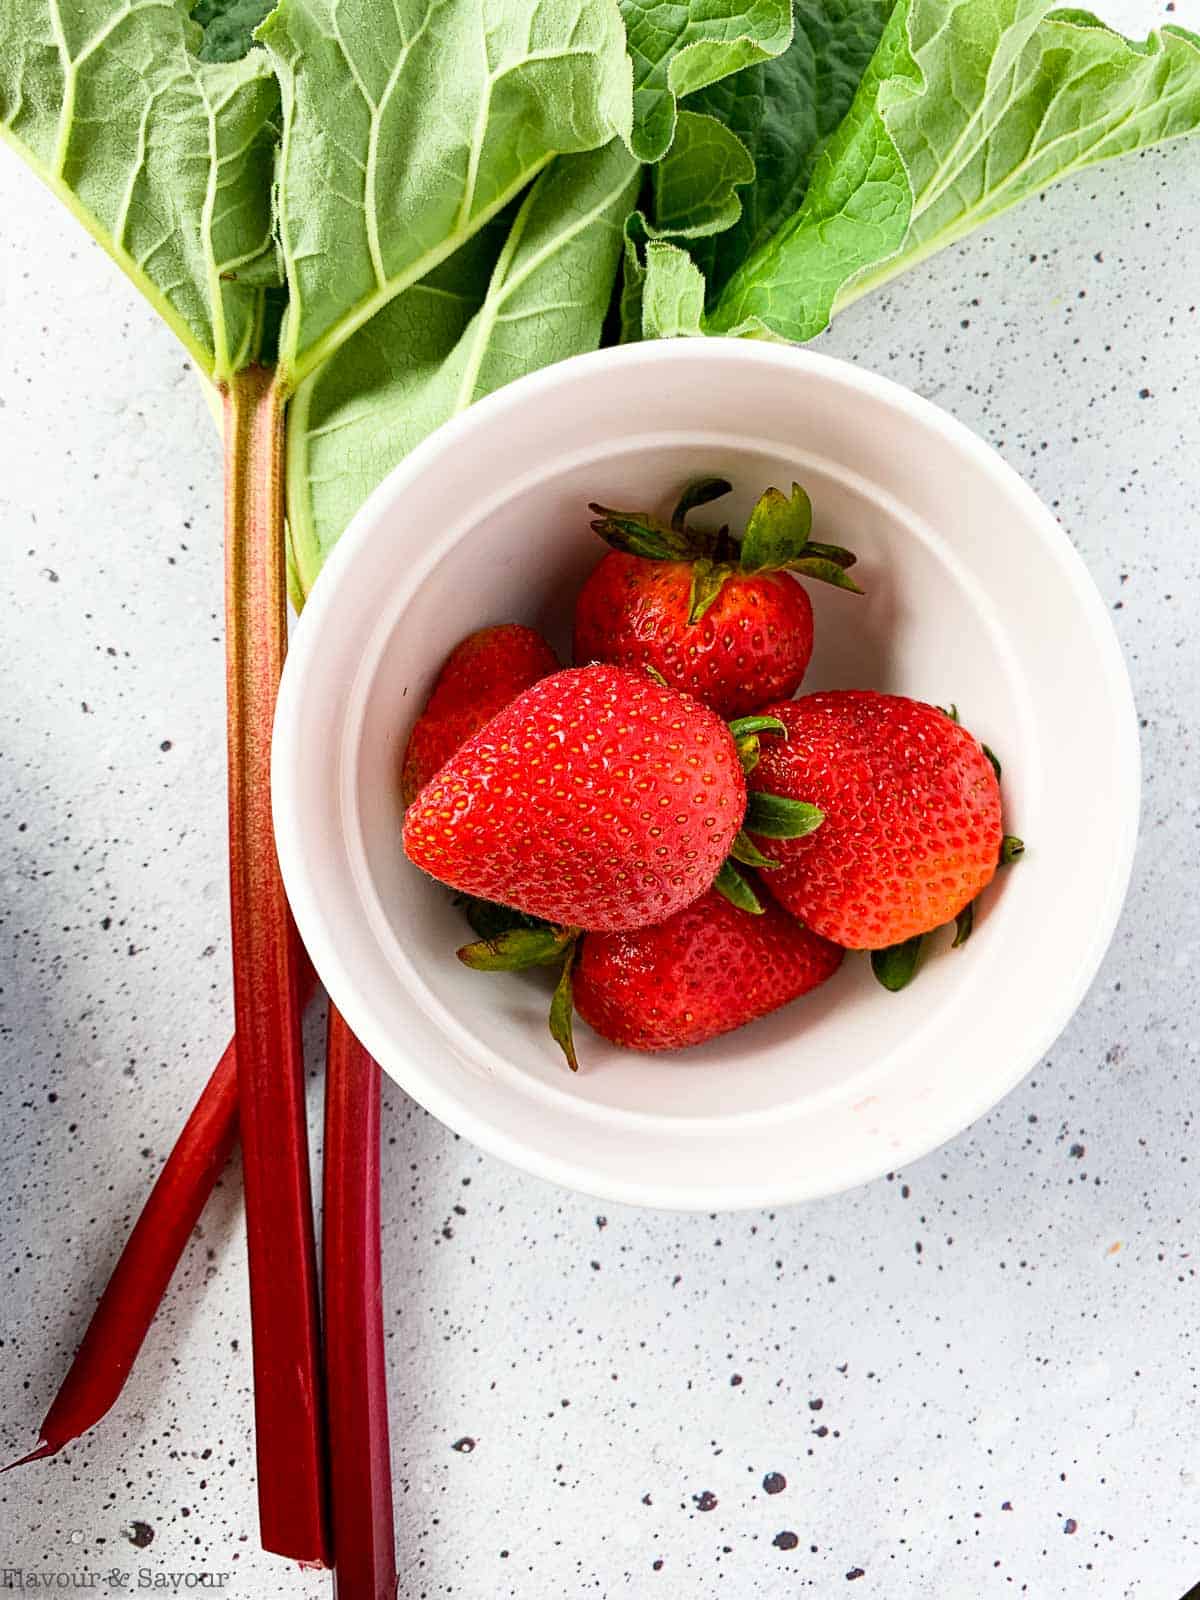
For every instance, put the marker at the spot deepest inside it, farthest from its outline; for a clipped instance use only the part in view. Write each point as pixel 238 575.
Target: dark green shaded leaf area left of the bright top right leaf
pixel 783 113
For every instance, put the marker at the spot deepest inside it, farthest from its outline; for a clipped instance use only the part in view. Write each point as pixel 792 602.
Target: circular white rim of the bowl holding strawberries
pixel 425 1084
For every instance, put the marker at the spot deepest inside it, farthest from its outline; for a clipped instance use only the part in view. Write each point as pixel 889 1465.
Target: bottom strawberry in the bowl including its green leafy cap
pixel 703 972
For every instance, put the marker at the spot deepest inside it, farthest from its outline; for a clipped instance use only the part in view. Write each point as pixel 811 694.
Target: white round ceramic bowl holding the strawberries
pixel 974 596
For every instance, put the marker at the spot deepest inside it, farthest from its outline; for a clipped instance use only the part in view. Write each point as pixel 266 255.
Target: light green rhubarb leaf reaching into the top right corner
pixel 951 127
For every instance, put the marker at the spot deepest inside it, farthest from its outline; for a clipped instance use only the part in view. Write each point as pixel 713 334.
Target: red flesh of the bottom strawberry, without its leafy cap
pixel 706 970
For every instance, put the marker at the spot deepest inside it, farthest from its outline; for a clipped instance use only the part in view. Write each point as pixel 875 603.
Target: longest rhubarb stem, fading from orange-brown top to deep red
pixel 284 1311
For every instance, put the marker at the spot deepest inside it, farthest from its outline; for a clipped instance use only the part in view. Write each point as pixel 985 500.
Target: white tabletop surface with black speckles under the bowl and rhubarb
pixel 977 1378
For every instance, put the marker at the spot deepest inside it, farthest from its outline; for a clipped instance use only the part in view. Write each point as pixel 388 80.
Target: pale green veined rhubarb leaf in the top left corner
pixel 166 161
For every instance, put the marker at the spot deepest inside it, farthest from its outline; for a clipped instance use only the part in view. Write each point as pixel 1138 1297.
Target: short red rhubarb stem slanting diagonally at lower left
pixel 126 1311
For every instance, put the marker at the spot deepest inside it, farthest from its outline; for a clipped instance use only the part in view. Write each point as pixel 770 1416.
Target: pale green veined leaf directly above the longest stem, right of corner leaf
pixel 407 127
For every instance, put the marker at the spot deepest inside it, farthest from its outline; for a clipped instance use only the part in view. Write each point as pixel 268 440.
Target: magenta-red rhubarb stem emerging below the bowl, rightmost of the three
pixel 364 1534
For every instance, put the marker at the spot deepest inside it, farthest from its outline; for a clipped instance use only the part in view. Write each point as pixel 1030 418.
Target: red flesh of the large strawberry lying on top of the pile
pixel 598 799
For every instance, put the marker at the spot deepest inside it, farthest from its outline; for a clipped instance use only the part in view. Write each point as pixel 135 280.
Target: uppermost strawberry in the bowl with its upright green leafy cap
pixel 729 623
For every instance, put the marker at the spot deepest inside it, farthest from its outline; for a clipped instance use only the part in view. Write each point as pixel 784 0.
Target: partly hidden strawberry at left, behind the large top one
pixel 479 678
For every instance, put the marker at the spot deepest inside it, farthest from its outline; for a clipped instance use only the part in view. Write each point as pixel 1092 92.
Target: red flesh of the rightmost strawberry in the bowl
pixel 911 807
